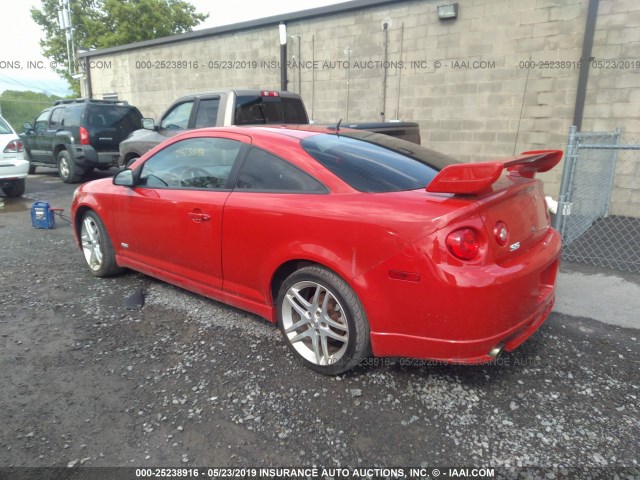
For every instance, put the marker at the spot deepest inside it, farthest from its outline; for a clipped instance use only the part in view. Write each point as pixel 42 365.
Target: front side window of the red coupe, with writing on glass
pixel 191 163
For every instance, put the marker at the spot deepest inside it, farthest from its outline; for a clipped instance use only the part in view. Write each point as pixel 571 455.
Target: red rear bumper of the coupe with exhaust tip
pixel 462 314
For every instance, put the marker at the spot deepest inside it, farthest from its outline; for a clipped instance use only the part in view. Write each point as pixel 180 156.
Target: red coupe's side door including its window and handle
pixel 170 223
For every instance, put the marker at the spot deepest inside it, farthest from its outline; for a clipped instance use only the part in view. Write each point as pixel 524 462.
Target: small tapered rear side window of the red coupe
pixel 265 172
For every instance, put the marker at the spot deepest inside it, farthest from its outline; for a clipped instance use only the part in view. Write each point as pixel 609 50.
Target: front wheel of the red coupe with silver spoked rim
pixel 97 247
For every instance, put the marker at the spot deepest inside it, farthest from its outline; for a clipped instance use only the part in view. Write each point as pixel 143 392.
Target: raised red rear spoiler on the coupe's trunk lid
pixel 473 178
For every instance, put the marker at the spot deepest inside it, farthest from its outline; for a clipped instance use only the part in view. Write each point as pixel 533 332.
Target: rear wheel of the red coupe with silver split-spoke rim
pixel 322 321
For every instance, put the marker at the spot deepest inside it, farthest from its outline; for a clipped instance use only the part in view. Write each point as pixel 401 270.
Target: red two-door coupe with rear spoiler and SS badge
pixel 354 243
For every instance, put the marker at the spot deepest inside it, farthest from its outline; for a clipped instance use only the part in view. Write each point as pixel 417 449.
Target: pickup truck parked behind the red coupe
pixel 237 107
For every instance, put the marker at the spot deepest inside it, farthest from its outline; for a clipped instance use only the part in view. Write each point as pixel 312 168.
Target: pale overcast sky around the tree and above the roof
pixel 20 36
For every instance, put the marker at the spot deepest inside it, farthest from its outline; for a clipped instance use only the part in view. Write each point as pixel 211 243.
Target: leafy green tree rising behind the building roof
pixel 110 23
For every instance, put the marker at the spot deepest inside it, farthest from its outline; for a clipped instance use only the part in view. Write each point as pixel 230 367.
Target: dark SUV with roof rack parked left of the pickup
pixel 79 135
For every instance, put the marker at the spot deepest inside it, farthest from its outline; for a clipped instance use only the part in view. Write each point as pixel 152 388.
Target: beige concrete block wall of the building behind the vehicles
pixel 478 86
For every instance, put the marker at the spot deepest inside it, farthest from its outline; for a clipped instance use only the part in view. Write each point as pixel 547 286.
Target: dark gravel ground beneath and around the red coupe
pixel 188 381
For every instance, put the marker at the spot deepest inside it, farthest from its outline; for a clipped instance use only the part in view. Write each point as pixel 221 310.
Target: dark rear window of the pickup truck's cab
pixel 258 110
